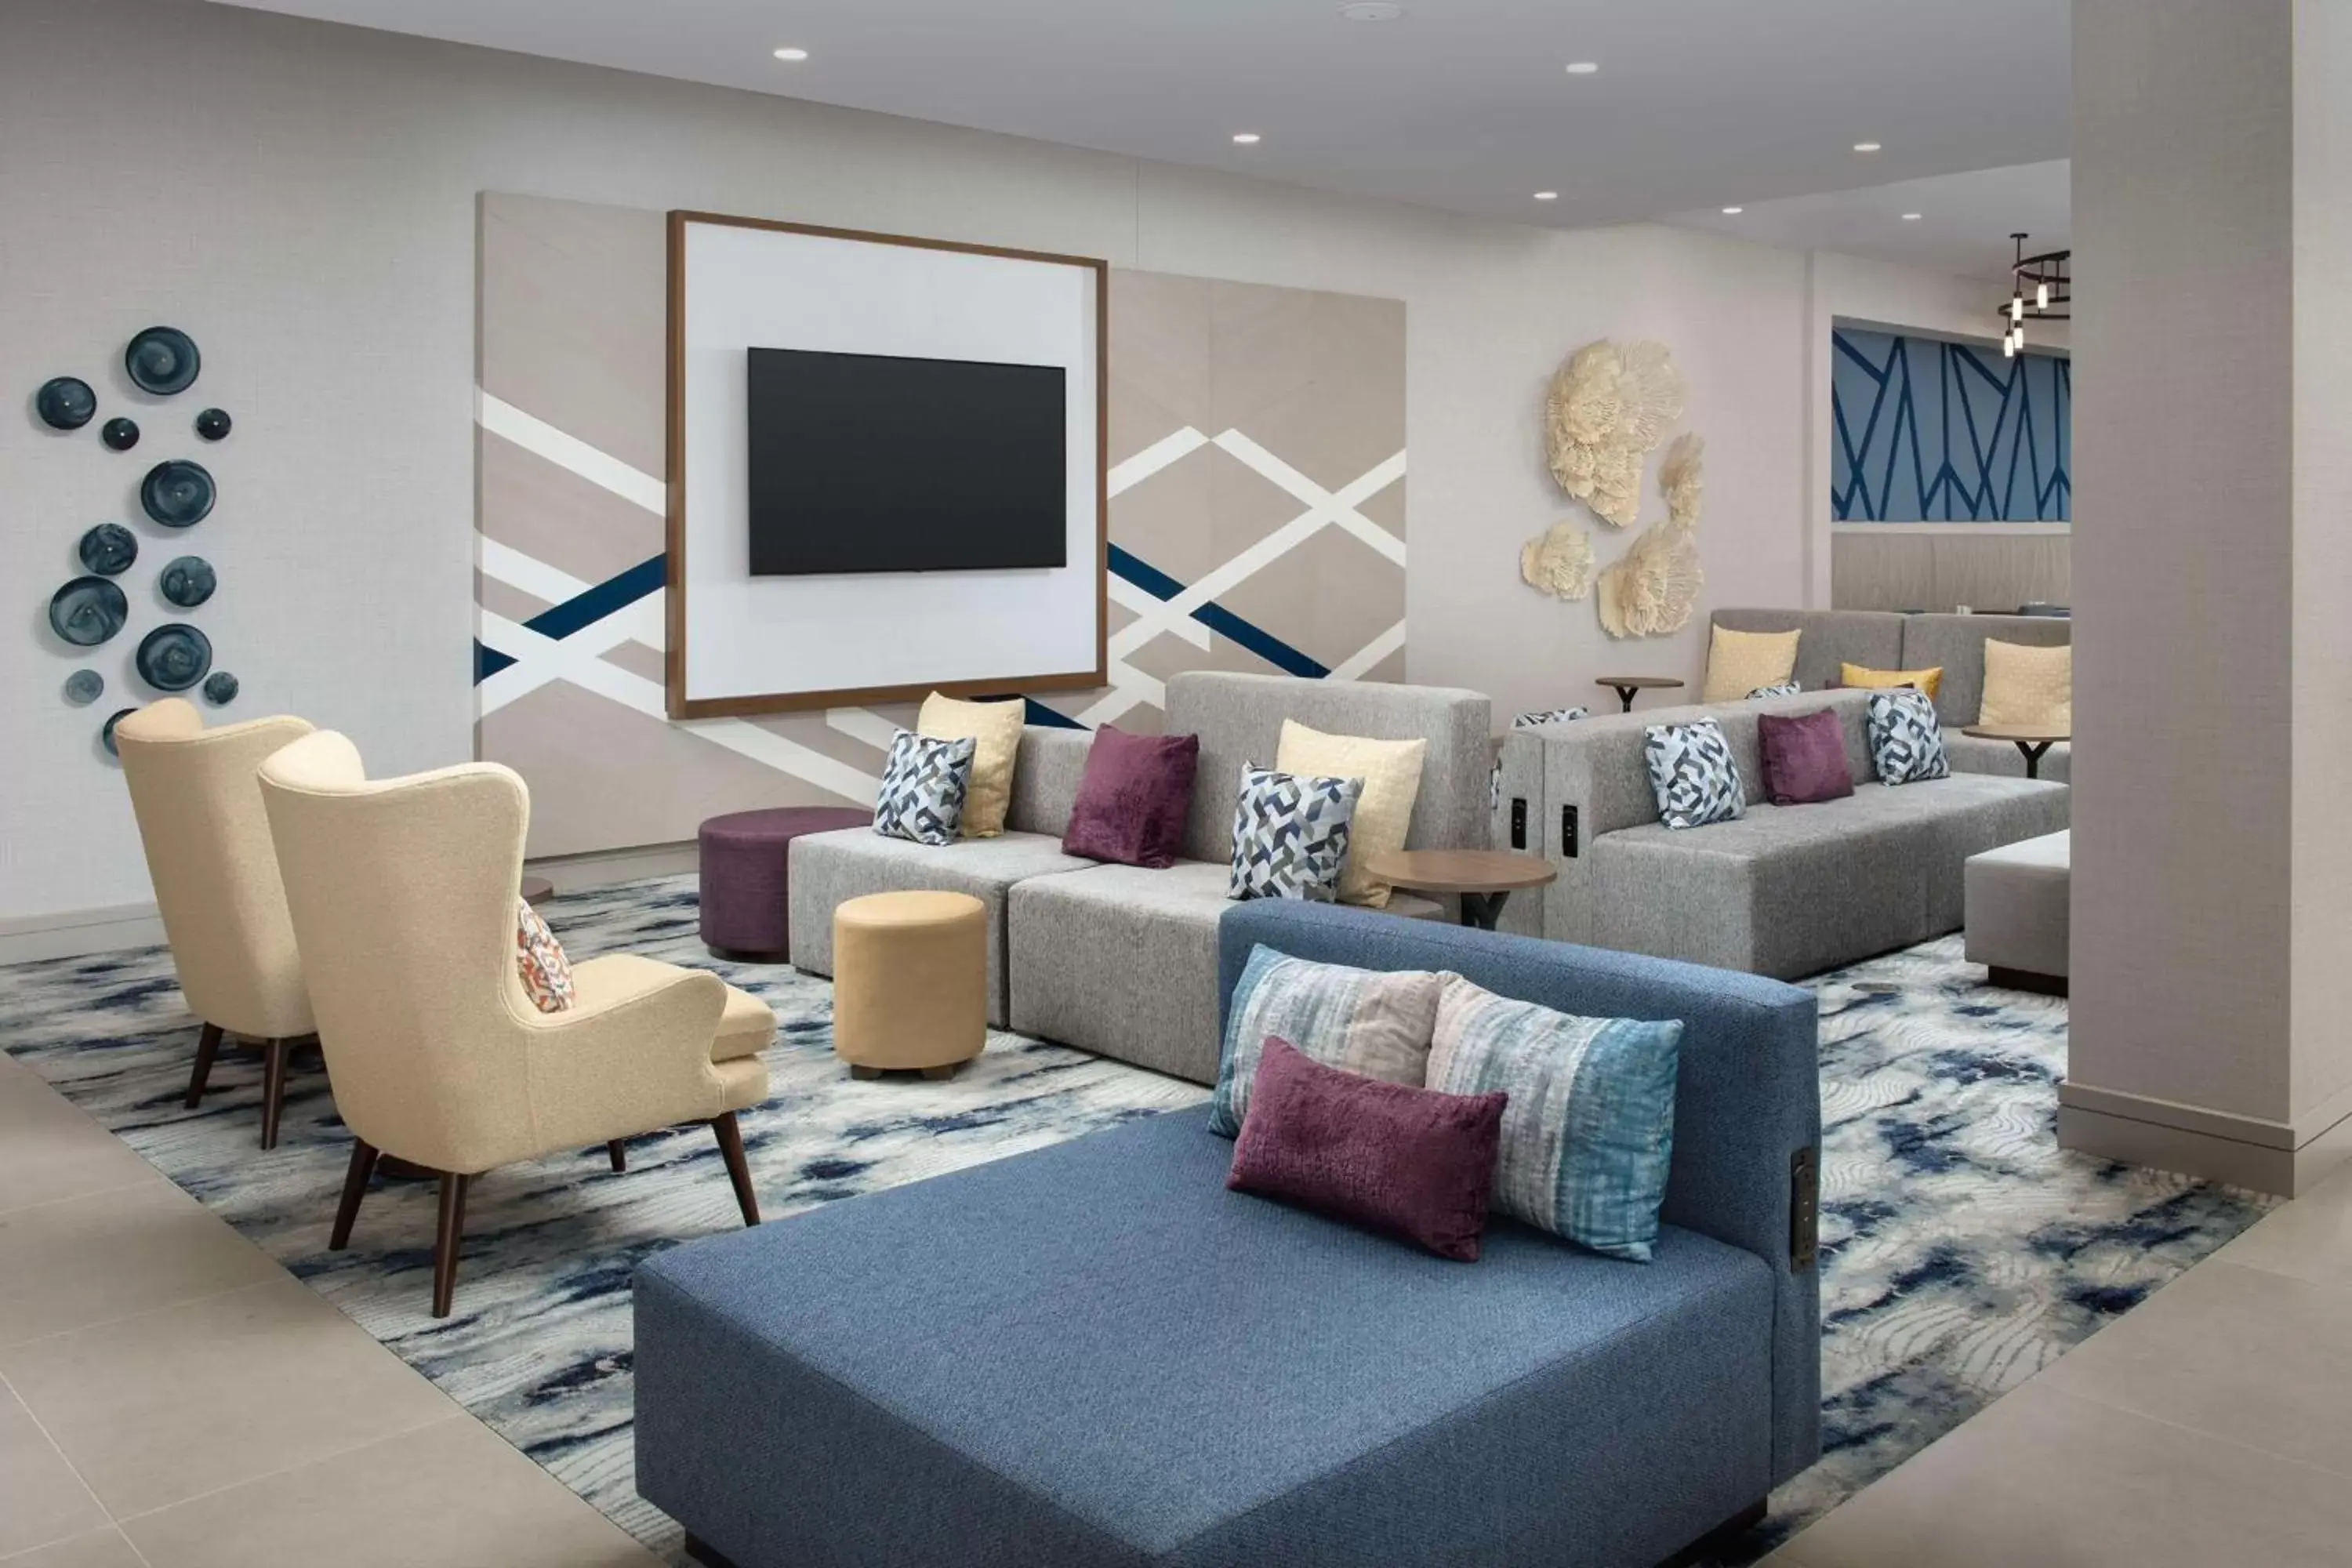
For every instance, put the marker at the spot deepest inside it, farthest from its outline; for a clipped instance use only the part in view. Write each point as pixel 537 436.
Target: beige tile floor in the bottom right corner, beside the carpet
pixel 2205 1430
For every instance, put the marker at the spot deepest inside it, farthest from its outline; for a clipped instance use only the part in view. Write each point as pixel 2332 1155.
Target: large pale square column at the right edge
pixel 2212 880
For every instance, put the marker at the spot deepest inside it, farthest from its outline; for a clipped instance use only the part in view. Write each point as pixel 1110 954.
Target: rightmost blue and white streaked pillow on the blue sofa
pixel 1589 1132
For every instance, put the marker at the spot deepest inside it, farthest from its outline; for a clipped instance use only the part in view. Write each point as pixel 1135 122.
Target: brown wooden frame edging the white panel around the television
pixel 681 706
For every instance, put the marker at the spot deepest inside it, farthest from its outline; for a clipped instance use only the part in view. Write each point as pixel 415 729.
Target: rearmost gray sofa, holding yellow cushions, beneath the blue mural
pixel 1887 641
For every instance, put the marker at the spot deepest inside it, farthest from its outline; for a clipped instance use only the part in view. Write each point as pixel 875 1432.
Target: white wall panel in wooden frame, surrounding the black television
pixel 747 643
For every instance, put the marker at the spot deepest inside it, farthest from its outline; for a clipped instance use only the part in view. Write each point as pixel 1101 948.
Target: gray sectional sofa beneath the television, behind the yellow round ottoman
pixel 1116 958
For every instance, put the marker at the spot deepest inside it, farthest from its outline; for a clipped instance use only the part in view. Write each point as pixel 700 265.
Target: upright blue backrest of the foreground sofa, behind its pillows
pixel 1746 1101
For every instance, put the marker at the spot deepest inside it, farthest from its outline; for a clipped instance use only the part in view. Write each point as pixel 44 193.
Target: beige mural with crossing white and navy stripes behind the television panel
pixel 1257 523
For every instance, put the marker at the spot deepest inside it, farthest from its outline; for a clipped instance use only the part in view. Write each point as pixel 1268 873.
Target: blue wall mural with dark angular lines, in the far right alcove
pixel 1930 431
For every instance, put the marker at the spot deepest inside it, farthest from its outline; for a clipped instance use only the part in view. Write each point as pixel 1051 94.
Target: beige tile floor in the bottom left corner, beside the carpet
pixel 173 1400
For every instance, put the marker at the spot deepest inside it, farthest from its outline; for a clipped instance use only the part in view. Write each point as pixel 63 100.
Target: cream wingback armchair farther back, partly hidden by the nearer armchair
pixel 225 911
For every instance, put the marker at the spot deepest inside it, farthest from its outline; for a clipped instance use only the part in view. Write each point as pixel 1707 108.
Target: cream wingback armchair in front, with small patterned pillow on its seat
pixel 403 899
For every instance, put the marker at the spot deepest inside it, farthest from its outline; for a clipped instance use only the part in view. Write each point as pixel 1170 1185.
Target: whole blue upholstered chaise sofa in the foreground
pixel 1097 1358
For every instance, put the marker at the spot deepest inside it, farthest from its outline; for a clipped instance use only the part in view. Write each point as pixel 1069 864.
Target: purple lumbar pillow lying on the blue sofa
pixel 1401 1160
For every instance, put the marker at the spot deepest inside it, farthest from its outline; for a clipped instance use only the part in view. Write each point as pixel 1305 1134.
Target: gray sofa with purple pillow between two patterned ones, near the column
pixel 1779 892
